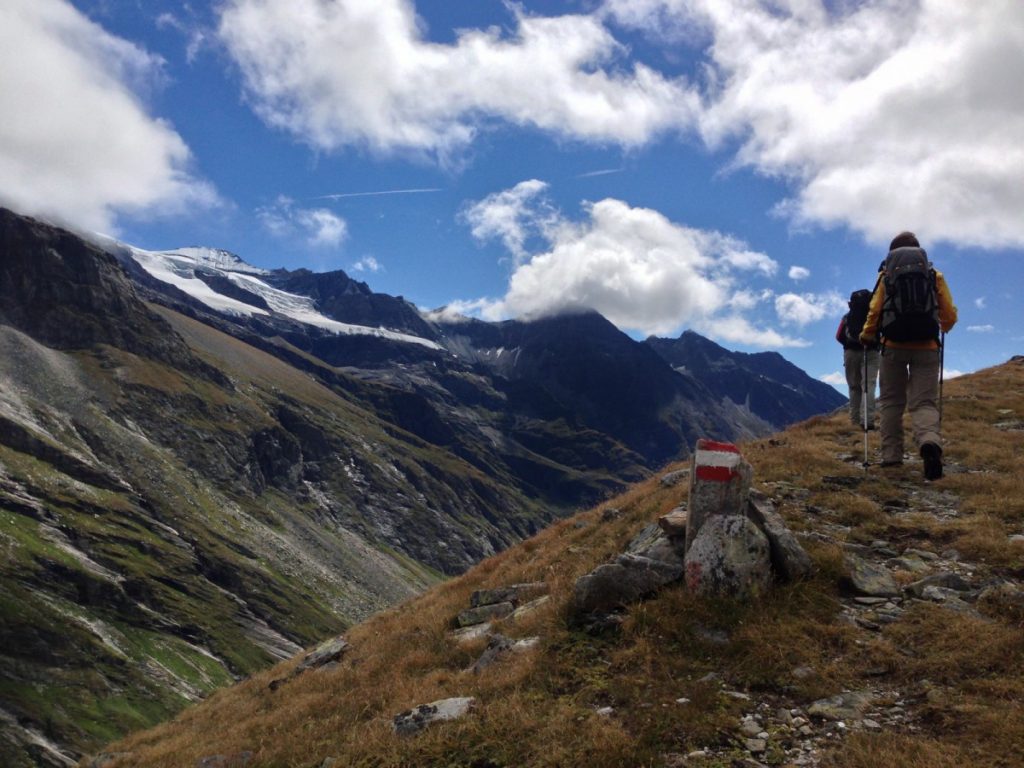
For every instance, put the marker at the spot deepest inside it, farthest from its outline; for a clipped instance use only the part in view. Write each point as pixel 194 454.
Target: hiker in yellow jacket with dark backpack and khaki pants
pixel 910 322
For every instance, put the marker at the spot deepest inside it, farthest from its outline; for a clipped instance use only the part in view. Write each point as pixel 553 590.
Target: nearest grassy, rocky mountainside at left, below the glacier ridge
pixel 180 508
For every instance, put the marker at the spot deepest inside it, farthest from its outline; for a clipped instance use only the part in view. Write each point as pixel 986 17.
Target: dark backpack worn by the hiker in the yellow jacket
pixel 911 312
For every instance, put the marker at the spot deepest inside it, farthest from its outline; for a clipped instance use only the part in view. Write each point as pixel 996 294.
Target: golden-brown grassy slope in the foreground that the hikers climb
pixel 962 676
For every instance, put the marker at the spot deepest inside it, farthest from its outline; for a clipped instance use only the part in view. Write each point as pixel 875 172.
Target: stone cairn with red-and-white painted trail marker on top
pixel 728 541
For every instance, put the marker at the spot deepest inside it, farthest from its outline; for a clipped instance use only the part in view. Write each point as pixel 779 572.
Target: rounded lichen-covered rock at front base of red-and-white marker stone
pixel 730 557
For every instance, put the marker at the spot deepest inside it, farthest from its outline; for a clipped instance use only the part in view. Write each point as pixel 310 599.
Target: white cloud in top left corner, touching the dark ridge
pixel 76 141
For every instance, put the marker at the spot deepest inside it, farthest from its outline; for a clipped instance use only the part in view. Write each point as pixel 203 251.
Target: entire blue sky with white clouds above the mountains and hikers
pixel 733 166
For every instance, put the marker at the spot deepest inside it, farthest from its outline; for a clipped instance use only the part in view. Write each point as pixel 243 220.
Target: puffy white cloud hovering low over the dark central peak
pixel 635 267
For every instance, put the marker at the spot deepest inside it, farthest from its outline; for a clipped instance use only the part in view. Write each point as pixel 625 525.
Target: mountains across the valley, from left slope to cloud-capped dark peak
pixel 205 465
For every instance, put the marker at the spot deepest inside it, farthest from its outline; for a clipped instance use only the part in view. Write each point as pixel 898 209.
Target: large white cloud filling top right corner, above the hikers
pixel 886 115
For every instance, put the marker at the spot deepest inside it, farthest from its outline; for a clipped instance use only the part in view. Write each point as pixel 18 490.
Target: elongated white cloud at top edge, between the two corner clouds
pixel 352 72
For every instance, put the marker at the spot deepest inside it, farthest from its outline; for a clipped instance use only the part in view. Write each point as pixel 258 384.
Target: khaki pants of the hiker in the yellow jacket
pixel 910 380
